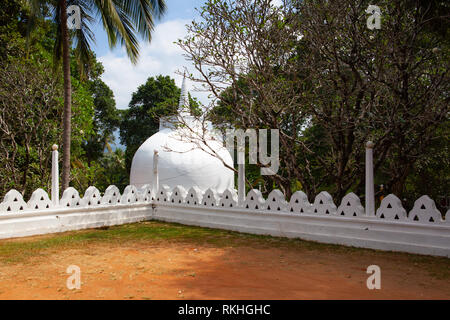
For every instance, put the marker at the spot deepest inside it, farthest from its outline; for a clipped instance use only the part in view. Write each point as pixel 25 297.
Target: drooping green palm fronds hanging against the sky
pixel 123 22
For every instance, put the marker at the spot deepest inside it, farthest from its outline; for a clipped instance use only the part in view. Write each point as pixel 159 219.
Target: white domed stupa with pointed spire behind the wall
pixel 181 161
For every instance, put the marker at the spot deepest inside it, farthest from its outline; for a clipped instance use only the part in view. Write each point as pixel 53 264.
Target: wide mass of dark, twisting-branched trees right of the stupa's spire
pixel 315 71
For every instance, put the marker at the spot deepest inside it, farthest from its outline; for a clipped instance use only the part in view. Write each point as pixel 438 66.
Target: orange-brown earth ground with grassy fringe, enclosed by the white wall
pixel 224 266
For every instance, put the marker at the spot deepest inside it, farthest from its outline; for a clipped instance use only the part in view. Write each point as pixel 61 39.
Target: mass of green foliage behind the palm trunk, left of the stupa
pixel 31 103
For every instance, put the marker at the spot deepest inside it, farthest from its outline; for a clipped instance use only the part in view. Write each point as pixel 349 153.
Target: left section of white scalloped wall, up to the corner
pixel 40 216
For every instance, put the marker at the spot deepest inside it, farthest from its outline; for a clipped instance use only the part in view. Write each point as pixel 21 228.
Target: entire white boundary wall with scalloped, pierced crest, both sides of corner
pixel 422 230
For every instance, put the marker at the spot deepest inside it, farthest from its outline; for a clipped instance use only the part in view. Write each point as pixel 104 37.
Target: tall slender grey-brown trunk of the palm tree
pixel 67 97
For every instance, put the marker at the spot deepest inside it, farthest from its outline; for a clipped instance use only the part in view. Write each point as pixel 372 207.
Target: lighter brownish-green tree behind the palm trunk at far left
pixel 30 122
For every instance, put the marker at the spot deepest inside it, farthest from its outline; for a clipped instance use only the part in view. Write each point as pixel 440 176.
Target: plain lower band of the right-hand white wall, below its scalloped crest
pixel 365 232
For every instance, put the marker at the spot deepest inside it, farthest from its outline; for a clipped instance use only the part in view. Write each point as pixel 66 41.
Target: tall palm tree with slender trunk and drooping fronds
pixel 123 21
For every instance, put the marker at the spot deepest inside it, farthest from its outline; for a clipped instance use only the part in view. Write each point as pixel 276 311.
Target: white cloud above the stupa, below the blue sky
pixel 161 56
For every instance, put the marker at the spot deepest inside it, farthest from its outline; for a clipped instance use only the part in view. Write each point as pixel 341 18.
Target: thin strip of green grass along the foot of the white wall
pixel 20 250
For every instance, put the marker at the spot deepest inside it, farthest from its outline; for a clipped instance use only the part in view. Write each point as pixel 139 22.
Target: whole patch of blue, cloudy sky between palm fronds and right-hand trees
pixel 161 56
